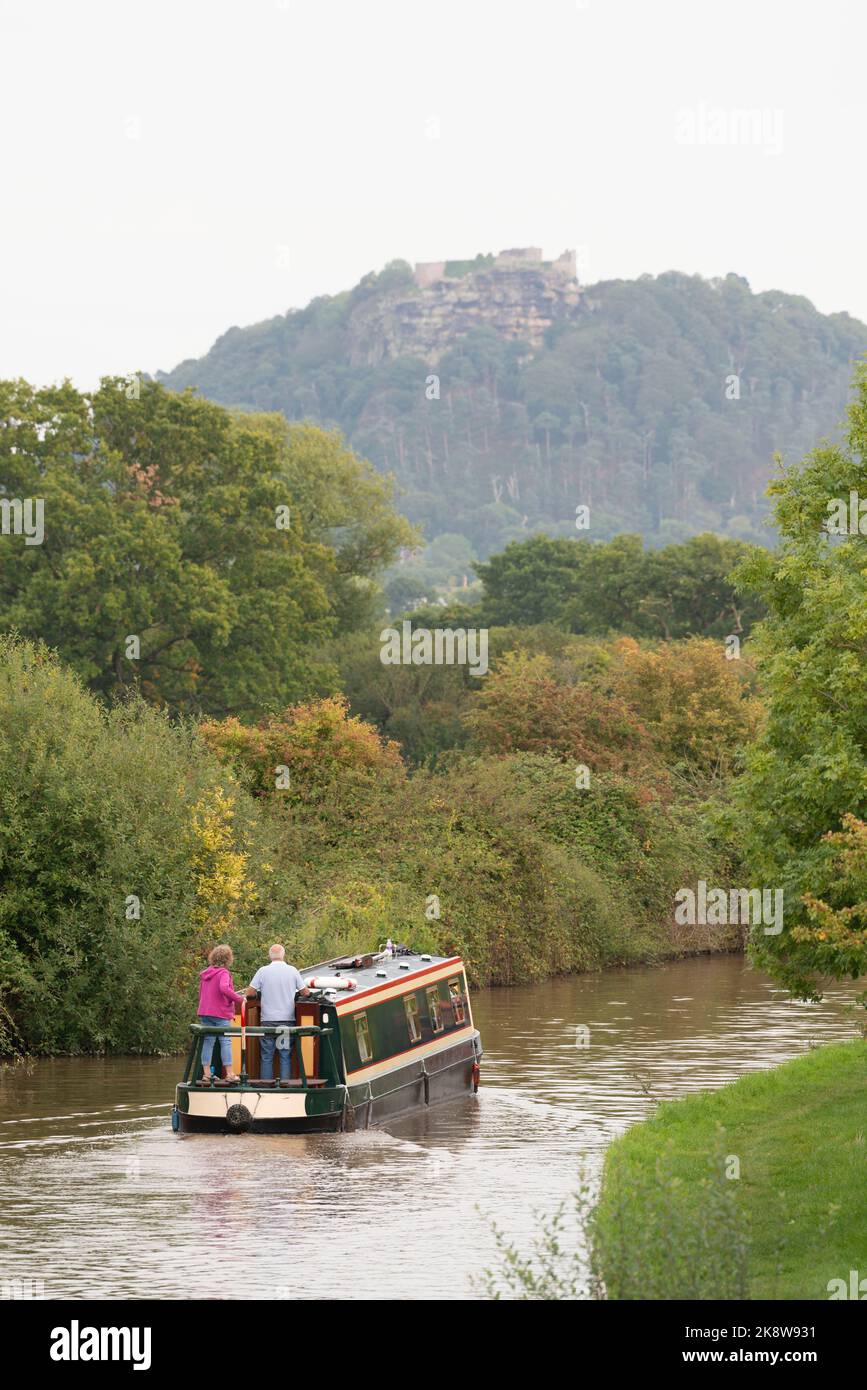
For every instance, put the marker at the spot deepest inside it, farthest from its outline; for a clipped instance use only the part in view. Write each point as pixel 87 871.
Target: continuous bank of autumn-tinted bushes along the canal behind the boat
pixel 131 844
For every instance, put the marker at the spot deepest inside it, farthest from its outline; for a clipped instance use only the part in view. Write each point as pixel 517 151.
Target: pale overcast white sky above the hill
pixel 174 169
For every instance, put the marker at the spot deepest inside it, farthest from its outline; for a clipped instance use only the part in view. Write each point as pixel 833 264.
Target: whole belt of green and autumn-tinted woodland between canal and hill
pixel 252 771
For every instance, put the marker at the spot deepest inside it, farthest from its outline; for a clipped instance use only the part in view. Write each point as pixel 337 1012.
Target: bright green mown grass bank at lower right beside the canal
pixel 758 1191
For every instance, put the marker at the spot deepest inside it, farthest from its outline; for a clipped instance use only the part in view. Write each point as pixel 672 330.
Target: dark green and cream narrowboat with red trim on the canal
pixel 379 1036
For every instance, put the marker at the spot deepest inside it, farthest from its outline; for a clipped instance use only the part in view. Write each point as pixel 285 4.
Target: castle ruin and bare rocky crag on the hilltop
pixel 516 294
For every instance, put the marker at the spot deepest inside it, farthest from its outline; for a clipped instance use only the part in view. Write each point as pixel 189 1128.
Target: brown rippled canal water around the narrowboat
pixel 101 1200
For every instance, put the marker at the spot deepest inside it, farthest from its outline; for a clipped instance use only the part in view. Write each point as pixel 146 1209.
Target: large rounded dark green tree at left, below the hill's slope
pixel 198 558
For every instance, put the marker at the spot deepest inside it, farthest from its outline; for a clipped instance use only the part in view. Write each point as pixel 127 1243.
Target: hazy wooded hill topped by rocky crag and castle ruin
pixel 550 394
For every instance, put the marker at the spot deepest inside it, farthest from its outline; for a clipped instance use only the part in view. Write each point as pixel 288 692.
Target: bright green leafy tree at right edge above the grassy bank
pixel 808 769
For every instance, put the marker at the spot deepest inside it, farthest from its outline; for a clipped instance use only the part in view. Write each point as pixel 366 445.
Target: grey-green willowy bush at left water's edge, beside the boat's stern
pixel 126 853
